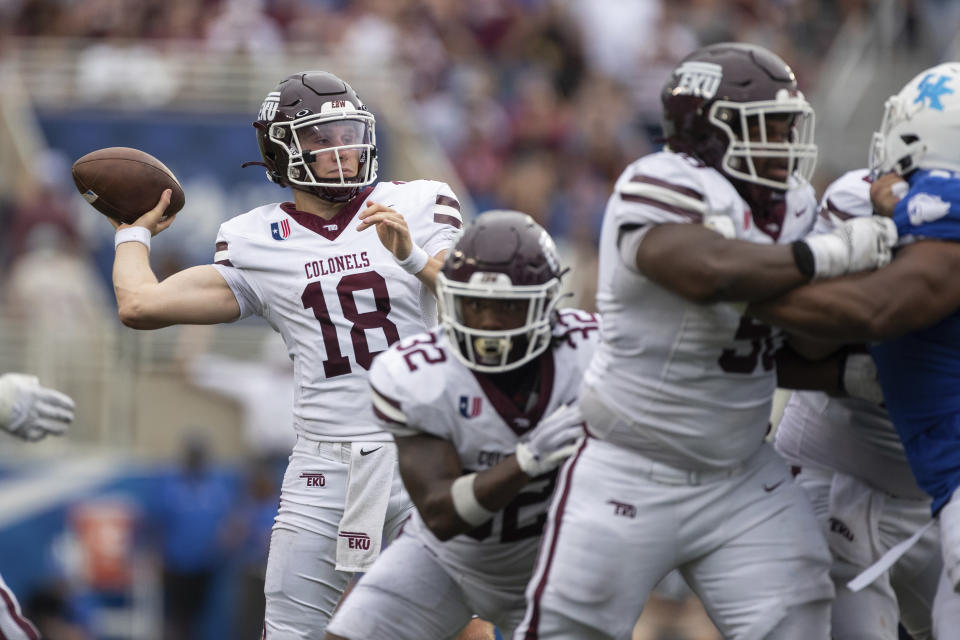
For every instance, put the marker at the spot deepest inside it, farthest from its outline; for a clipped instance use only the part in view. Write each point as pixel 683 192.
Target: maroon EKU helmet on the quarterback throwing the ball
pixel 309 115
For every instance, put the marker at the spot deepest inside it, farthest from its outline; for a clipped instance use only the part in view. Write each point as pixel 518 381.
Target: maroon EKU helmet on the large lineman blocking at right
pixel 720 106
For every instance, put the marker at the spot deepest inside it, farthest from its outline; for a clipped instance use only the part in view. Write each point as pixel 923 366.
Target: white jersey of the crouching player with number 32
pixel 420 387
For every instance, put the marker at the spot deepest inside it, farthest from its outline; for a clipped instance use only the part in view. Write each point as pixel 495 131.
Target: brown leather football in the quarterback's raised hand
pixel 124 183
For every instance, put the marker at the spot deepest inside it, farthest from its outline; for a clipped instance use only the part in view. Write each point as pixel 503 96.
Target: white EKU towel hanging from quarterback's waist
pixel 369 484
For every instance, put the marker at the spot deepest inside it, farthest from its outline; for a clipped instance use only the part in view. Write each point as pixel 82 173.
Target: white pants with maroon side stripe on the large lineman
pixel 745 539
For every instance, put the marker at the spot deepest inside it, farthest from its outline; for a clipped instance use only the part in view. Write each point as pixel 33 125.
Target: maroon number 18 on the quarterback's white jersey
pixel 336 363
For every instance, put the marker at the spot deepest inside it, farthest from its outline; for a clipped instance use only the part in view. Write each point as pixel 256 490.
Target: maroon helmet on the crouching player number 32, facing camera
pixel 504 255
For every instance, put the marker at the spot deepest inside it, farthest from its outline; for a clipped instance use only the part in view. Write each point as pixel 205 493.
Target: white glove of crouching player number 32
pixel 551 442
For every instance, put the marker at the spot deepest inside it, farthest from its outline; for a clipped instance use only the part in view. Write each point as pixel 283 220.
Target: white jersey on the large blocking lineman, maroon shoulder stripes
pixel 697 379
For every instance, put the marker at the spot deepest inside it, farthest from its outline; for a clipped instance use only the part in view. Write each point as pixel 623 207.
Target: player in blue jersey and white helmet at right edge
pixel 911 308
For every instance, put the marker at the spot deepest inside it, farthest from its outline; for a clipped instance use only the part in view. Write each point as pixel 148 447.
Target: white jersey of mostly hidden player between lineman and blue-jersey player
pixel 849 435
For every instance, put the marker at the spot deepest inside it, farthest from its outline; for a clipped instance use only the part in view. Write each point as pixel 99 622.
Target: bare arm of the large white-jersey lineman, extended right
pixel 704 267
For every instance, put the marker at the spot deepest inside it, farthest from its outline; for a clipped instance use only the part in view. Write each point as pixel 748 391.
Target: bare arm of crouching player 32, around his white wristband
pixel 429 465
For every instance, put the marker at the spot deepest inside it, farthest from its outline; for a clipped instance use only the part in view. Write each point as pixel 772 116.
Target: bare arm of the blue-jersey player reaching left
pixel 918 289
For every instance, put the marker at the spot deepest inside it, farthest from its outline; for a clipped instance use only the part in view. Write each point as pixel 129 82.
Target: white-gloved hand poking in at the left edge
pixel 30 411
